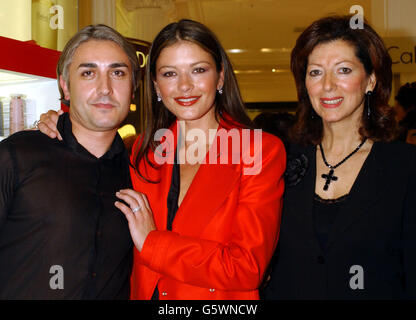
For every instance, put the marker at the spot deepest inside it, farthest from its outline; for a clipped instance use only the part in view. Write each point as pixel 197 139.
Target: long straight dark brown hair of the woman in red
pixel 156 115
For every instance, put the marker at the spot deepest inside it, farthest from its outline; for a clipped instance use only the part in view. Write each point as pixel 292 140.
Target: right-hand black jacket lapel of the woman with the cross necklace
pixel 367 188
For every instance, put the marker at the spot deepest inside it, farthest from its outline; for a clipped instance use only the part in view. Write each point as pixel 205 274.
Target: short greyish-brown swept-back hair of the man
pixel 96 32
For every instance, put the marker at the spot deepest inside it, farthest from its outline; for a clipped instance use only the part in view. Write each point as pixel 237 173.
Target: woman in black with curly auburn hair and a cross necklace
pixel 349 219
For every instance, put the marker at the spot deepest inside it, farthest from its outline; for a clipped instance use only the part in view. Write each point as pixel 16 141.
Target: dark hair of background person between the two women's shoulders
pixel 276 123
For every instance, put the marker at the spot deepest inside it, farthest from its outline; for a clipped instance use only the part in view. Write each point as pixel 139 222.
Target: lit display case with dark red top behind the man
pixel 28 85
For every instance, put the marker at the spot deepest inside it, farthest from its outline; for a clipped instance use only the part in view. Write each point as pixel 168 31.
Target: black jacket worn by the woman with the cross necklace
pixel 371 246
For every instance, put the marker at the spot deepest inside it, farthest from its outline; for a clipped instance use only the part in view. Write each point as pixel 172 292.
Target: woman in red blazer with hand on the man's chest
pixel 205 211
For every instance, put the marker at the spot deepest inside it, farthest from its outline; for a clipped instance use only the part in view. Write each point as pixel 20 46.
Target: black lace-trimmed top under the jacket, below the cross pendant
pixel 324 214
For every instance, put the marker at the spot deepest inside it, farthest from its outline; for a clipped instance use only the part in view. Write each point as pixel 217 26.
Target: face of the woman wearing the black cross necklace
pixel 337 82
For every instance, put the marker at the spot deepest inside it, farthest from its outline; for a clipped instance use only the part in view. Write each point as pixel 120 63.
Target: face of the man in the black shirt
pixel 100 85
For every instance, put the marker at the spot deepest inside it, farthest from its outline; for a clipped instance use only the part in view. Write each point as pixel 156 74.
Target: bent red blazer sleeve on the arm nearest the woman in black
pixel 240 263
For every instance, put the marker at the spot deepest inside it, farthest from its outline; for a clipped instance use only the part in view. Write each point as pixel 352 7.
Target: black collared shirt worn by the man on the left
pixel 57 209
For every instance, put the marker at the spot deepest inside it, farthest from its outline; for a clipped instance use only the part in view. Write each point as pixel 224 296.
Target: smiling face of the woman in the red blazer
pixel 187 81
